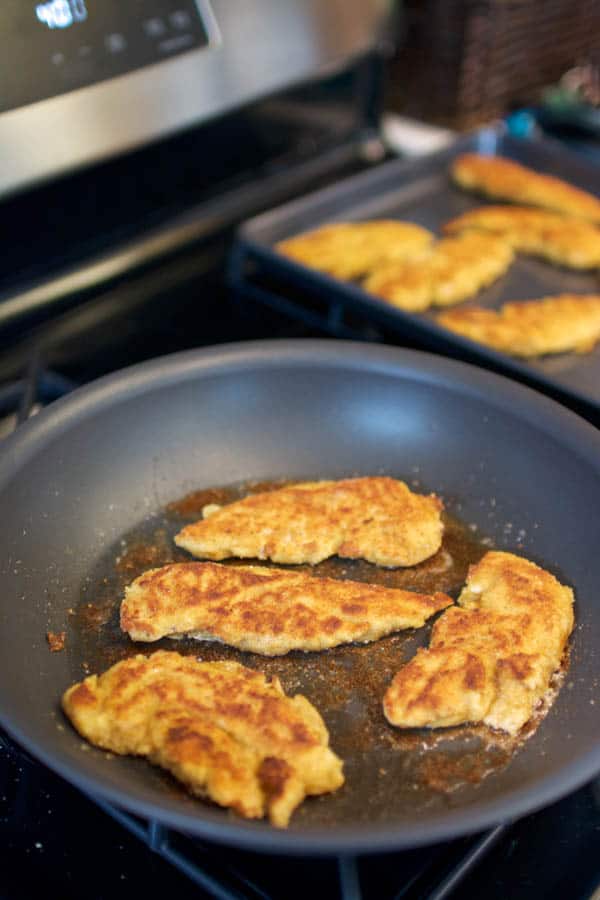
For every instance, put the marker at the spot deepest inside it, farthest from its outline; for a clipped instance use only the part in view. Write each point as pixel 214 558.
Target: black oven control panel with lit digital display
pixel 55 46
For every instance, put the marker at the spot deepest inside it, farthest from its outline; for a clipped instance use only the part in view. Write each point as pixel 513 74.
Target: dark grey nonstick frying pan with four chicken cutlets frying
pixel 102 463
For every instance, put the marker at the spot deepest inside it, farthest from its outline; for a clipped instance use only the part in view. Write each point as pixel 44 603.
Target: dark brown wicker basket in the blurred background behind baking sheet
pixel 464 63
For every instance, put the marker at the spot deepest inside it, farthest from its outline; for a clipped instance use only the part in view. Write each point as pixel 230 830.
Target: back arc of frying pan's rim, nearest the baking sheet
pixel 550 415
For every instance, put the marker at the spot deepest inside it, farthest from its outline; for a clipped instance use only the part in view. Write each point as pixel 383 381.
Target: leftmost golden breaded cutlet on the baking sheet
pixel 349 249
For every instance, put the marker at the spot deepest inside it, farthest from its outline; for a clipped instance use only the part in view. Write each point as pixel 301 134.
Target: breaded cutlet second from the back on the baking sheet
pixel 560 239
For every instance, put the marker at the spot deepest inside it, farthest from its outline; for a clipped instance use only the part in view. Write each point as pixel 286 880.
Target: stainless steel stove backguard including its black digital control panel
pixel 82 80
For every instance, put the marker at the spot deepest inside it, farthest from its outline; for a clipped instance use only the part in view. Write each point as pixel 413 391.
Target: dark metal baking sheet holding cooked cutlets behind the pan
pixel 421 191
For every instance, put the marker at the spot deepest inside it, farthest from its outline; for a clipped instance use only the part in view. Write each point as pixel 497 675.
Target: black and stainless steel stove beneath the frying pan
pixel 135 138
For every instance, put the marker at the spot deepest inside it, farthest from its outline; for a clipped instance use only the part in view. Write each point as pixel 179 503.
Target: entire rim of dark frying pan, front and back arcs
pixel 500 392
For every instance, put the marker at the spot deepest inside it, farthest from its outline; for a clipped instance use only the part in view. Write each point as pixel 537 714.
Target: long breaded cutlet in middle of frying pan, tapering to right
pixel 267 611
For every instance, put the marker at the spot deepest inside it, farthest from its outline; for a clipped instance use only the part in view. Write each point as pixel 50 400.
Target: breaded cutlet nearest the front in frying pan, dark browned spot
pixel 224 730
